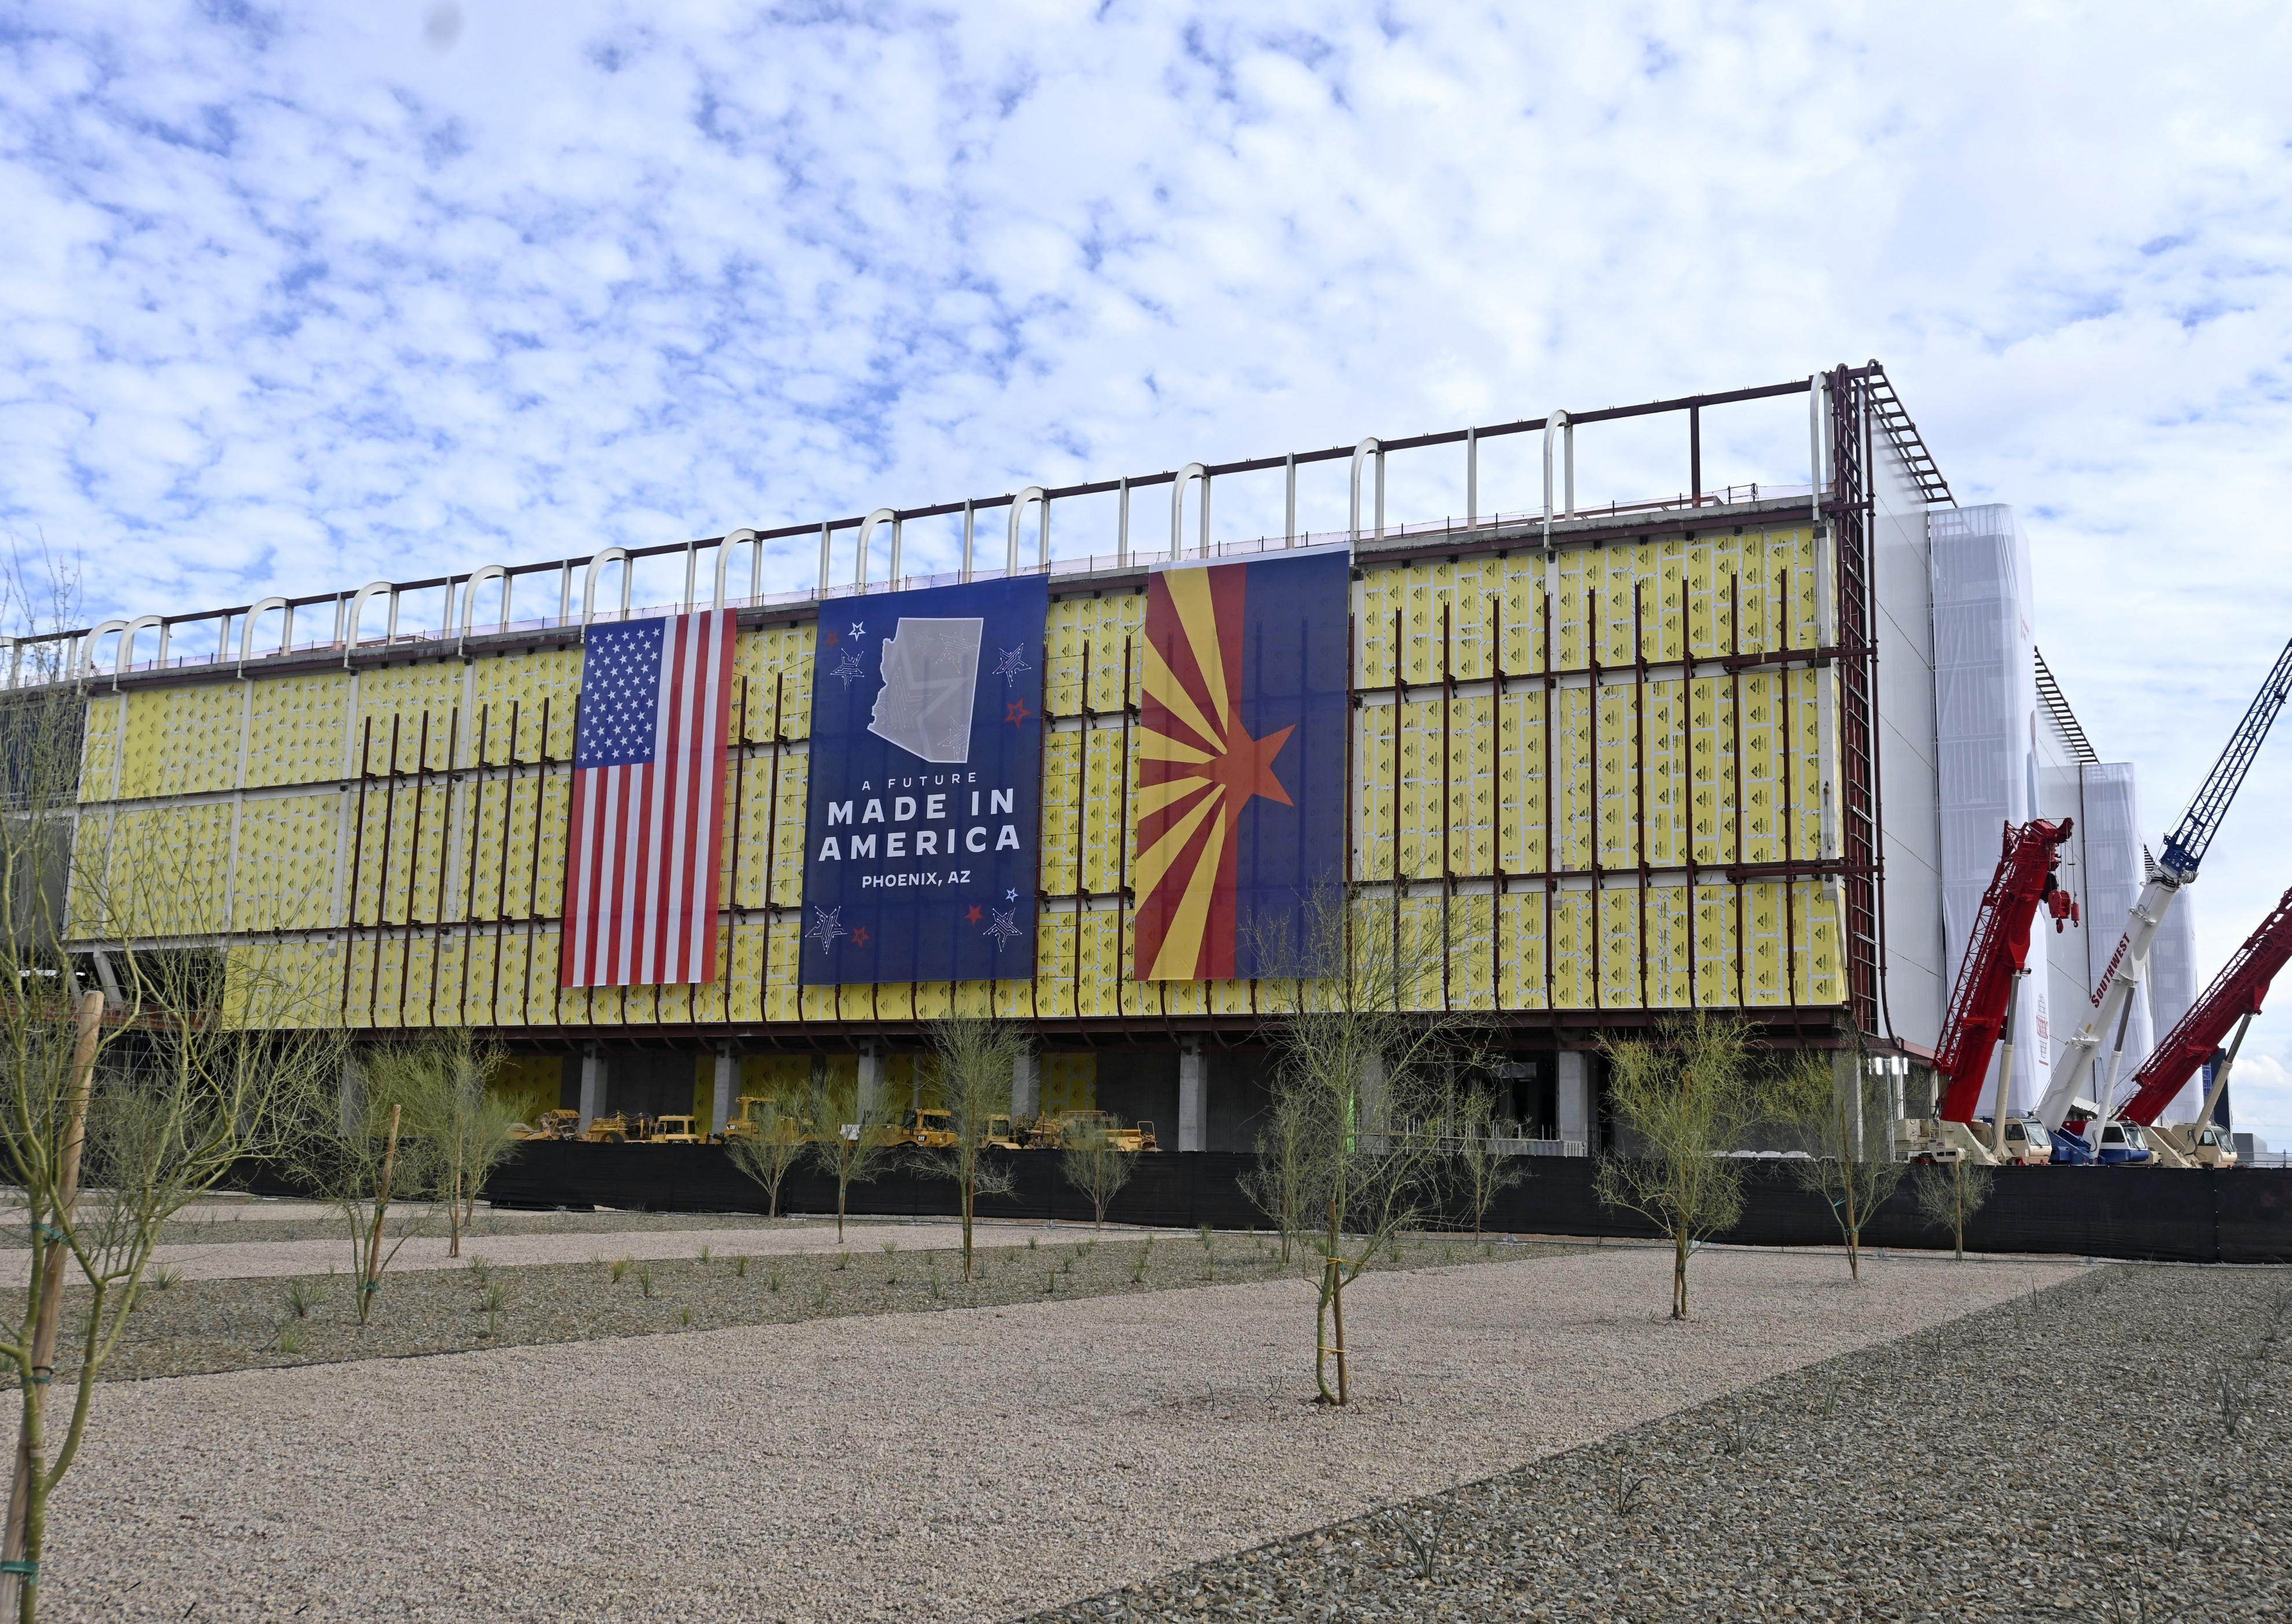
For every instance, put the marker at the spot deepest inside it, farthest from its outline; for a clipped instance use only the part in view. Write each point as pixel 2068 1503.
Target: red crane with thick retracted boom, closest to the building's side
pixel 1981 1009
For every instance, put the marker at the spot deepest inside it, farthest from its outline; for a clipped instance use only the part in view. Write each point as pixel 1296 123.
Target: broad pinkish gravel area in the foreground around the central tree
pixel 909 1467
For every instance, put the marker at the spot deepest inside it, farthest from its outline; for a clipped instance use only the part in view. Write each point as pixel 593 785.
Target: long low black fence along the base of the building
pixel 2240 1215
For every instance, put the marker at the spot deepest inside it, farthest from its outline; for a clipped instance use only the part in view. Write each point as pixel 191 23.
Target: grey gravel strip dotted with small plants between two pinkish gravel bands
pixel 240 1321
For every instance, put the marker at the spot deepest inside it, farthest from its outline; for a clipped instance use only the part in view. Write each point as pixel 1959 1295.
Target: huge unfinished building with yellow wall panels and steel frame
pixel 1738 748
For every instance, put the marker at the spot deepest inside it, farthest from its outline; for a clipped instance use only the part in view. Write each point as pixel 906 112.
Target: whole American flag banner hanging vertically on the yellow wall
pixel 647 803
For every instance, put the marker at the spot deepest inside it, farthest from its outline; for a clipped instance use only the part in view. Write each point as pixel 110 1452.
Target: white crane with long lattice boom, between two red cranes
pixel 2075 1096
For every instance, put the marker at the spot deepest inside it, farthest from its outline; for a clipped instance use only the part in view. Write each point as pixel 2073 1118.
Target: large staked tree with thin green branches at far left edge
pixel 146 1096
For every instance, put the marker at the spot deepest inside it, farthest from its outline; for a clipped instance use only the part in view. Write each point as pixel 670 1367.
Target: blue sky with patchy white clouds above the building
pixel 317 294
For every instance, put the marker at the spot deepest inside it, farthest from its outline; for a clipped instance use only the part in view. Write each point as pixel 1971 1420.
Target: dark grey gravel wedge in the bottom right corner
pixel 1959 1474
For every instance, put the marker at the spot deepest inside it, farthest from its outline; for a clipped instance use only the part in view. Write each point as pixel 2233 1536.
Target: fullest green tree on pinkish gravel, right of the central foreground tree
pixel 1688 1096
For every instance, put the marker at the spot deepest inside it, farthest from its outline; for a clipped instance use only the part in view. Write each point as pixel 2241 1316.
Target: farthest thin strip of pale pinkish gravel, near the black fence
pixel 258 1256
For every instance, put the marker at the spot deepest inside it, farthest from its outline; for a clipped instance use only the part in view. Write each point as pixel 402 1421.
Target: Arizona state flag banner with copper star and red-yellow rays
pixel 1241 805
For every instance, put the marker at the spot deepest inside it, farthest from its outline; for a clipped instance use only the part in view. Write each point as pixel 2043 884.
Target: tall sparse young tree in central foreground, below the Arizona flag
pixel 1358 1064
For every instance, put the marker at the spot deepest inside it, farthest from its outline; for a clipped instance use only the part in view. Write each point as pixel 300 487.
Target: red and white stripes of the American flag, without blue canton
pixel 645 862
